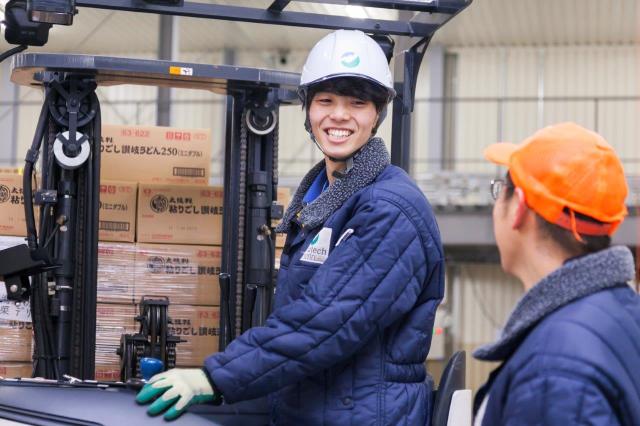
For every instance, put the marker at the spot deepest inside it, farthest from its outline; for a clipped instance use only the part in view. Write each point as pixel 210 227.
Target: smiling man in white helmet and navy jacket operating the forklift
pixel 361 273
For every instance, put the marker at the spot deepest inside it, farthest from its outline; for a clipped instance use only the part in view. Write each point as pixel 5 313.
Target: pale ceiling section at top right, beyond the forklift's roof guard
pixel 544 22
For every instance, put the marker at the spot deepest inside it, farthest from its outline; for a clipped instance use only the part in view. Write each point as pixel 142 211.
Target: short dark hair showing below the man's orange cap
pixel 565 237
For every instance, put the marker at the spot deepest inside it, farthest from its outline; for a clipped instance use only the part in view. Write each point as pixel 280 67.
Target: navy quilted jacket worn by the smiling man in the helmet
pixel 360 278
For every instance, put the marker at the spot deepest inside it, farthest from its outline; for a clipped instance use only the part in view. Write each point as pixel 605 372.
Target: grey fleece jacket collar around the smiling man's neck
pixel 367 165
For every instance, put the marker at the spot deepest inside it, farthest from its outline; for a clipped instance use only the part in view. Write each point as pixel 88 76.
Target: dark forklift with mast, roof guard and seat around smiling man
pixel 56 270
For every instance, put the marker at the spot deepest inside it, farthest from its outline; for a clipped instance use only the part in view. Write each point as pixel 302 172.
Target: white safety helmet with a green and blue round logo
pixel 346 53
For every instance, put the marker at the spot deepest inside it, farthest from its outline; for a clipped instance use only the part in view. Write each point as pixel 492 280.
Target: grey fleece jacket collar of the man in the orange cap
pixel 575 279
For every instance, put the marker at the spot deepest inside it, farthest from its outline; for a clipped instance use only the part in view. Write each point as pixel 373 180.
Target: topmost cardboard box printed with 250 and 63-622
pixel 165 155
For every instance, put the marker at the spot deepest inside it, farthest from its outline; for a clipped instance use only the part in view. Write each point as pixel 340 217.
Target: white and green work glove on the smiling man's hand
pixel 175 390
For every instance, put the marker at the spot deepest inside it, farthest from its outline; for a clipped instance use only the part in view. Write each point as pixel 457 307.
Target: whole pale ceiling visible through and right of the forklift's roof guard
pixel 484 23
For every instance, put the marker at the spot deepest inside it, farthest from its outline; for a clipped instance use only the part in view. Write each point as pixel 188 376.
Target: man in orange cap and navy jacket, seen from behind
pixel 570 350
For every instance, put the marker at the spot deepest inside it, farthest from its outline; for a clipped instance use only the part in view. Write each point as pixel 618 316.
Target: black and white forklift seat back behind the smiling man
pixel 452 405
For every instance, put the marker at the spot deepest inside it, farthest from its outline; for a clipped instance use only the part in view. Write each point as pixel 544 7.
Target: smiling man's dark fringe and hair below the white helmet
pixel 352 86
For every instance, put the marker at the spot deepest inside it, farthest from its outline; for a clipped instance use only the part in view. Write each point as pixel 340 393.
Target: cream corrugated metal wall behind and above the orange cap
pixel 573 79
